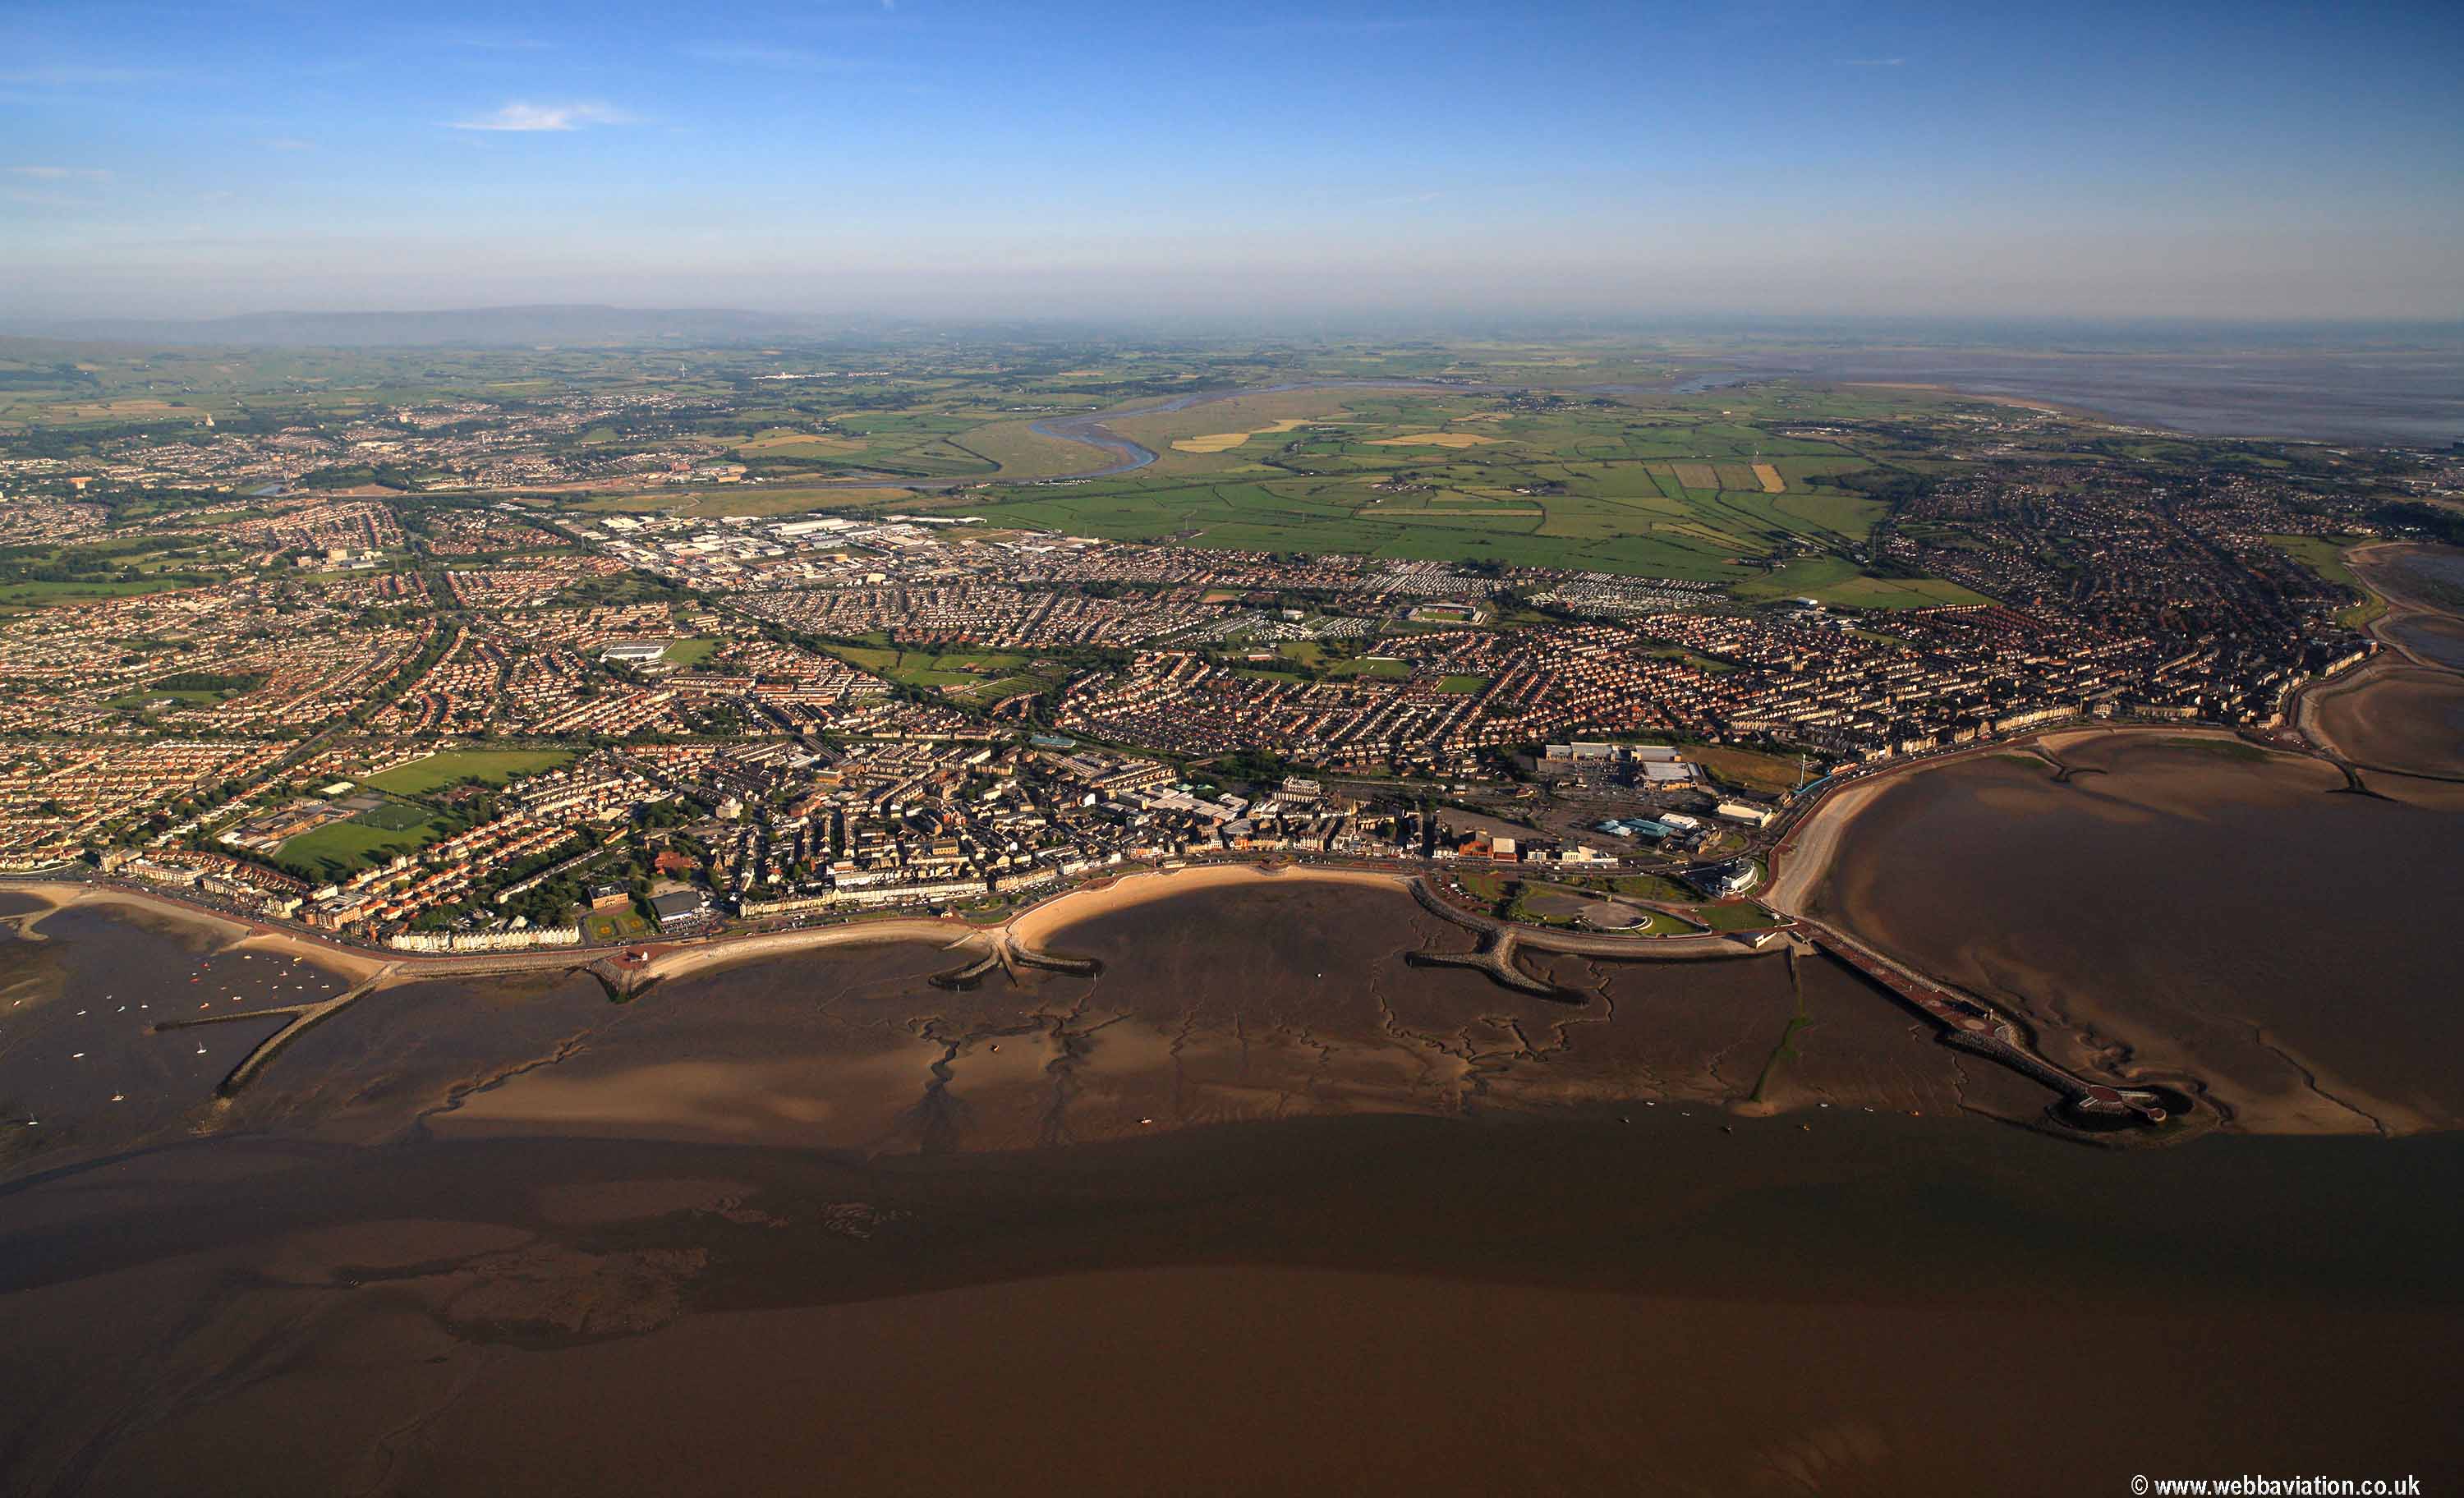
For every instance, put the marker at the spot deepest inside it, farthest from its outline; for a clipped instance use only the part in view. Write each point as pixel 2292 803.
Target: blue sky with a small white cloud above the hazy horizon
pixel 967 156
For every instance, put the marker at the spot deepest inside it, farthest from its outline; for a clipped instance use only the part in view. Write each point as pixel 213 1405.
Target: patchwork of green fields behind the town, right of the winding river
pixel 1660 489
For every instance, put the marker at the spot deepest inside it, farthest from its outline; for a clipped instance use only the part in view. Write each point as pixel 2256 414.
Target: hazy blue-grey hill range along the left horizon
pixel 565 326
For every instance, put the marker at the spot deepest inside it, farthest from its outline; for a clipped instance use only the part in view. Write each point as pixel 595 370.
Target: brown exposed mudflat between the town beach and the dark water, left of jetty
pixel 1216 1002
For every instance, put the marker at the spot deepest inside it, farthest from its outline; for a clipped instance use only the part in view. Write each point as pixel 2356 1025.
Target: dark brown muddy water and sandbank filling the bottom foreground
pixel 1305 1305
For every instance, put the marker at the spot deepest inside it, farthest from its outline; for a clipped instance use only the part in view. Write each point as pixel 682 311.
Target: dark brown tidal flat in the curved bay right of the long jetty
pixel 2184 910
